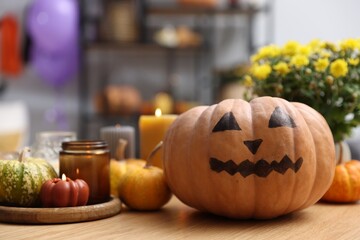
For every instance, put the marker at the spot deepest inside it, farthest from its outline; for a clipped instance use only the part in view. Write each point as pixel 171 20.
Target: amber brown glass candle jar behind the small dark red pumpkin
pixel 88 160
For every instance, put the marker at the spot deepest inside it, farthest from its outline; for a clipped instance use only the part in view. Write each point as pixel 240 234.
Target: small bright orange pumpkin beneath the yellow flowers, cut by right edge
pixel 345 187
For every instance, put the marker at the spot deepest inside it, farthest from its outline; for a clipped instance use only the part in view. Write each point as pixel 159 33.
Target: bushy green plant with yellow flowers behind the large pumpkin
pixel 323 75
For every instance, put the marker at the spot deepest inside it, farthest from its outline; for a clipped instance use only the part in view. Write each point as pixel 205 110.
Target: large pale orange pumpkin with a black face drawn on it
pixel 232 188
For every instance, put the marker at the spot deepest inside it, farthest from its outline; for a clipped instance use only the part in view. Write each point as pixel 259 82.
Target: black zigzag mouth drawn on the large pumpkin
pixel 261 168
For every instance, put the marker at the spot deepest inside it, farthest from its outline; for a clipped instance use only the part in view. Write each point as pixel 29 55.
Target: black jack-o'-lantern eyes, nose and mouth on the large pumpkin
pixel 260 167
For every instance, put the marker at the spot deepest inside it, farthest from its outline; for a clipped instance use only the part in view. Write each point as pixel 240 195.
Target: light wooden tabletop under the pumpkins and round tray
pixel 177 221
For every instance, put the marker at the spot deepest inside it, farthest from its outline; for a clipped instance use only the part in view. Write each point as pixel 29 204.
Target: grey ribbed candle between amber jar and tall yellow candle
pixel 112 134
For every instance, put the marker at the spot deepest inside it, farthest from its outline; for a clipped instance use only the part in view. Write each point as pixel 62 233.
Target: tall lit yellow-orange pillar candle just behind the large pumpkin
pixel 152 131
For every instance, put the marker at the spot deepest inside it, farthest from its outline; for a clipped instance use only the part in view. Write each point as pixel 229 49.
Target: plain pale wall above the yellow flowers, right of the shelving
pixel 304 20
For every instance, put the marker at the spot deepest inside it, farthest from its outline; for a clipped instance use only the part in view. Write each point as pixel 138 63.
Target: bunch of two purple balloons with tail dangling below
pixel 54 30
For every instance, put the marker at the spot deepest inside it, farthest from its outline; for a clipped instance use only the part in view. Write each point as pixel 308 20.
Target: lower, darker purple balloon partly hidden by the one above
pixel 56 69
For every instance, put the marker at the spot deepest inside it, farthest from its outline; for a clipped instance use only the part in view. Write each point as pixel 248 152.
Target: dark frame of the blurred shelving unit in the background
pixel 203 54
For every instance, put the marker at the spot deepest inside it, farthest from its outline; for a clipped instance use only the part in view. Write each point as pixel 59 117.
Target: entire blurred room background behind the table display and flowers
pixel 79 65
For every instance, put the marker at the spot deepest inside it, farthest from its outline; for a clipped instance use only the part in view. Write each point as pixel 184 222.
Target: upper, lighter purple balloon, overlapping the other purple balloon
pixel 53 24
